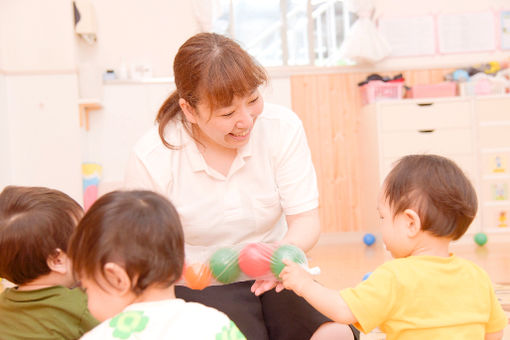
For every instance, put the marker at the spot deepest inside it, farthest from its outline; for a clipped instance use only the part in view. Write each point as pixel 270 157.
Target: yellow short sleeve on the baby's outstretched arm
pixel 372 301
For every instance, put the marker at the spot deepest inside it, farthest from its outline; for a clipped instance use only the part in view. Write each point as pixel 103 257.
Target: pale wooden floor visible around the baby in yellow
pixel 344 260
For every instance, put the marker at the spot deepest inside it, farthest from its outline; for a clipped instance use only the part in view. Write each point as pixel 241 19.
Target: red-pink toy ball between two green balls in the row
pixel 254 259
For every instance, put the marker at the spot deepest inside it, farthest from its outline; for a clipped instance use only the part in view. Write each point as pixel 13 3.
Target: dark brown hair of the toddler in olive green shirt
pixel 35 222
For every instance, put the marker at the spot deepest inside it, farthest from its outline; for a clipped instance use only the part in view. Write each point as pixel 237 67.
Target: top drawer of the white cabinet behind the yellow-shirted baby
pixel 417 116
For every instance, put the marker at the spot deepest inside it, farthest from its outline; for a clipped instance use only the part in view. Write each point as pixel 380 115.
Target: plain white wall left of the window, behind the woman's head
pixel 139 32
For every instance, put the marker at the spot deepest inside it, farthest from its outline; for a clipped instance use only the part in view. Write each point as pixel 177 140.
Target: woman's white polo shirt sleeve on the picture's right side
pixel 295 173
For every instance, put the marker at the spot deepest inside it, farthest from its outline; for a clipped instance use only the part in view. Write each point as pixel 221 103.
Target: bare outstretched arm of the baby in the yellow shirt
pixel 325 300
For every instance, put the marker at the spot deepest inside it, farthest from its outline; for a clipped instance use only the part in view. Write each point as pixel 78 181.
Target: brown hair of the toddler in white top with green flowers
pixel 138 230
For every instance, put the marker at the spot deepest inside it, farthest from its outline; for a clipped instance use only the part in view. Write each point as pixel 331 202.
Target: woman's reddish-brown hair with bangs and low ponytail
pixel 209 67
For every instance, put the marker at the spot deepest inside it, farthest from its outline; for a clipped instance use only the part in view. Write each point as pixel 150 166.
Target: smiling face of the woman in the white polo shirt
pixel 230 126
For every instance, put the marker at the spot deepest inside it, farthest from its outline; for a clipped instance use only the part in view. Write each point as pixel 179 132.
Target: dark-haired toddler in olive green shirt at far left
pixel 35 226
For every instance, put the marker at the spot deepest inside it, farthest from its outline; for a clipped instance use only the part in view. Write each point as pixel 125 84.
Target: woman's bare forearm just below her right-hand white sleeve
pixel 304 229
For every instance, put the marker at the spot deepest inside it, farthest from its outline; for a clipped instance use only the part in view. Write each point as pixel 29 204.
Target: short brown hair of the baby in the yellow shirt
pixel 437 189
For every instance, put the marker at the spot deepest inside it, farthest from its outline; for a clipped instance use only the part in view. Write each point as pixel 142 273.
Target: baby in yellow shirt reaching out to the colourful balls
pixel 425 292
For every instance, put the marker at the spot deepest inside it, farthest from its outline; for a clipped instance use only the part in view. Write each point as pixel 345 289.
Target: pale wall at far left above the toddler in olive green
pixel 40 136
